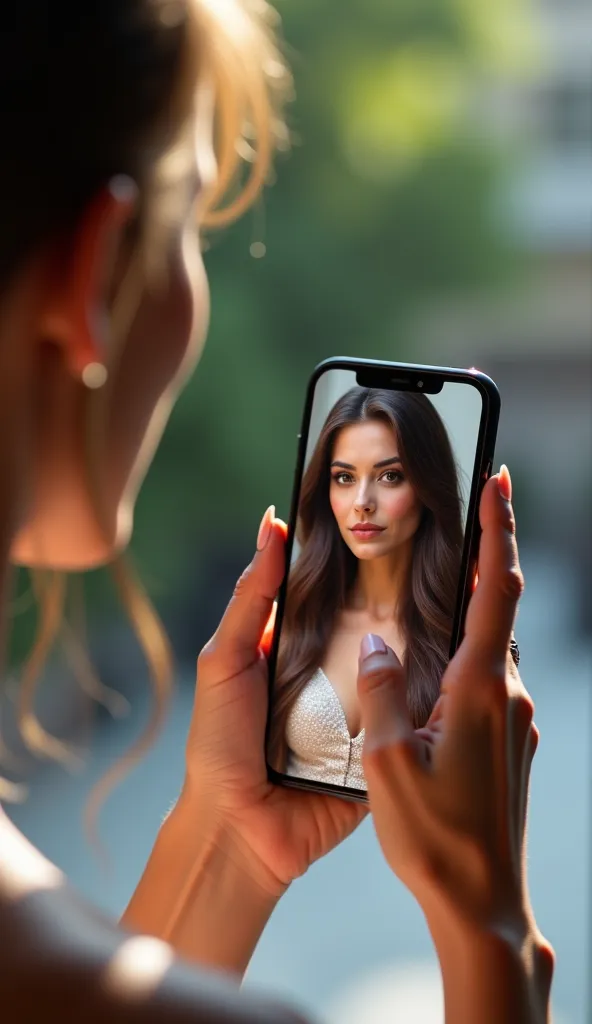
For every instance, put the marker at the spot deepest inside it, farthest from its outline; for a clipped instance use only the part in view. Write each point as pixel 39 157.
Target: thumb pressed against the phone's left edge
pixel 236 643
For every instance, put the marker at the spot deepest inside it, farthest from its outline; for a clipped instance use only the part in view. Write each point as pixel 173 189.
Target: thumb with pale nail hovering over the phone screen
pixel 383 694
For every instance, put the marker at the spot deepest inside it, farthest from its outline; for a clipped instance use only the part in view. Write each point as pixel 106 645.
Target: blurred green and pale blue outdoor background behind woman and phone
pixel 437 207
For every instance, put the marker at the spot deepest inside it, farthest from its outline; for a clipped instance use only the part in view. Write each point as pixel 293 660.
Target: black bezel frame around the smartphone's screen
pixel 491 407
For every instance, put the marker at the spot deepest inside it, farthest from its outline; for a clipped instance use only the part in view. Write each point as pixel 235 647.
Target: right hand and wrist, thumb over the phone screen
pixel 450 801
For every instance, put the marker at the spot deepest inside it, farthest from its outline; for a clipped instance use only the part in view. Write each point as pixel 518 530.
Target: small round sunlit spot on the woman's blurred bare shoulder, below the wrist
pixel 139 967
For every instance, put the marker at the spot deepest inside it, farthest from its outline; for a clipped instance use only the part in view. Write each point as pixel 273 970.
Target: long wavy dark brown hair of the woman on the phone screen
pixel 325 572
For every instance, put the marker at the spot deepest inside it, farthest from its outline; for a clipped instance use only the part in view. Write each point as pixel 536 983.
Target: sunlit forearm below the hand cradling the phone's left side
pixel 196 894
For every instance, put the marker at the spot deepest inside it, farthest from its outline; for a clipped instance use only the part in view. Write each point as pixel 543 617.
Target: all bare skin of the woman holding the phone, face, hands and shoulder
pixel 234 842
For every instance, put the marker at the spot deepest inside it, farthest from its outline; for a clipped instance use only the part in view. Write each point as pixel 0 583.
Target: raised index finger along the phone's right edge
pixel 493 607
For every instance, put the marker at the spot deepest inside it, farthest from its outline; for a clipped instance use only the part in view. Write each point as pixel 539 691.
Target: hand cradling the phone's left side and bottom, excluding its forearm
pixel 276 833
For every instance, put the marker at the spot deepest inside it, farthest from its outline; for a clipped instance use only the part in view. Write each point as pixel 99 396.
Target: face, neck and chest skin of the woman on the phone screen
pixel 368 485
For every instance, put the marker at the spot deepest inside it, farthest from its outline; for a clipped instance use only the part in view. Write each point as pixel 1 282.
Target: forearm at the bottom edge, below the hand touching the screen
pixel 494 976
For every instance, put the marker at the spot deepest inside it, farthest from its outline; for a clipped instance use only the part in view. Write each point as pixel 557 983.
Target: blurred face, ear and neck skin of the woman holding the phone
pixel 67 293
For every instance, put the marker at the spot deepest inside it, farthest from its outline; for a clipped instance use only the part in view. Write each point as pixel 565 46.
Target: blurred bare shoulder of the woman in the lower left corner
pixel 63 960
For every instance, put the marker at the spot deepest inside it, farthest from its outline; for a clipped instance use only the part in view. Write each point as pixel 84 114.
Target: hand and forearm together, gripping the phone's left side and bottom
pixel 234 842
